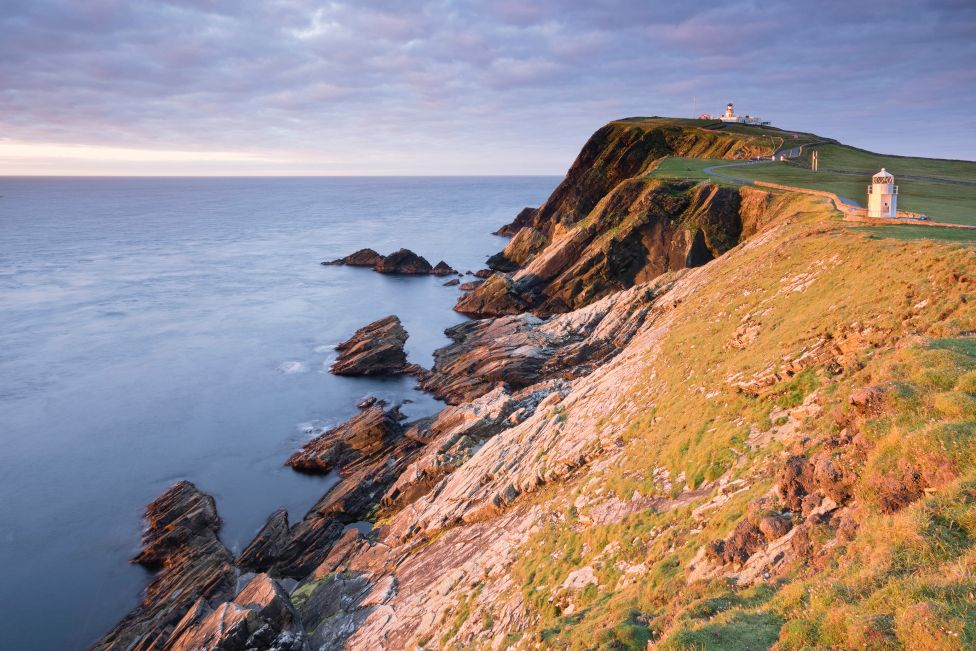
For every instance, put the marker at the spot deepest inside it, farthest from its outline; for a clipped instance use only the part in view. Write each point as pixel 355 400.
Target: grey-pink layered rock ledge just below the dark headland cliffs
pixel 522 350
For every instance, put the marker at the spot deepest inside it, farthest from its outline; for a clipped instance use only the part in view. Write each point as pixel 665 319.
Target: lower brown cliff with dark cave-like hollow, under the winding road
pixel 639 230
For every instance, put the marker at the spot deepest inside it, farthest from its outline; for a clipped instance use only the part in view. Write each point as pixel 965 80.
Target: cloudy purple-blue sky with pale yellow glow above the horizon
pixel 297 87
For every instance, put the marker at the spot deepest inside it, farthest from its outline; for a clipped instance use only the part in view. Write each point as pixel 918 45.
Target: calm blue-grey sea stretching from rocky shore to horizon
pixel 159 329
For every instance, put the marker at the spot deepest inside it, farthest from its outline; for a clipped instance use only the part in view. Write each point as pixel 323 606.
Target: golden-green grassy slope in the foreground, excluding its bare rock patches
pixel 906 580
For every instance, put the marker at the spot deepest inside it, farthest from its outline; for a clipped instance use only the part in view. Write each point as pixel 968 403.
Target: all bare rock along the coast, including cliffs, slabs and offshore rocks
pixel 548 382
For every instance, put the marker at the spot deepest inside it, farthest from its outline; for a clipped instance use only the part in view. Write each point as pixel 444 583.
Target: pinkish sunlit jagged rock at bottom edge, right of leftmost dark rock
pixel 260 616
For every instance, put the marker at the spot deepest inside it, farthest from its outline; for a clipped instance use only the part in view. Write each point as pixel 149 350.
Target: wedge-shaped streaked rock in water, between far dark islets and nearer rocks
pixel 376 349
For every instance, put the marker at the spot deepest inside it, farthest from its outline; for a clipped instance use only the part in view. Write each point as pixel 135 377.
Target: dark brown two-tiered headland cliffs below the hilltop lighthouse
pixel 607 226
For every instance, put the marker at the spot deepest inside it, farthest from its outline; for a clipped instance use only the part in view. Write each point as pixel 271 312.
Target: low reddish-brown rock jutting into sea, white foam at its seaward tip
pixel 366 434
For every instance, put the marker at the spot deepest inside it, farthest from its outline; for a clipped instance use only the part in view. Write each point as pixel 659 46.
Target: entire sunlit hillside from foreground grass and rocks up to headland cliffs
pixel 701 415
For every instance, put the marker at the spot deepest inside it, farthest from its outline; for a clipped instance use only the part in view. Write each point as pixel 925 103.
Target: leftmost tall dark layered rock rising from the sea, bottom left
pixel 181 540
